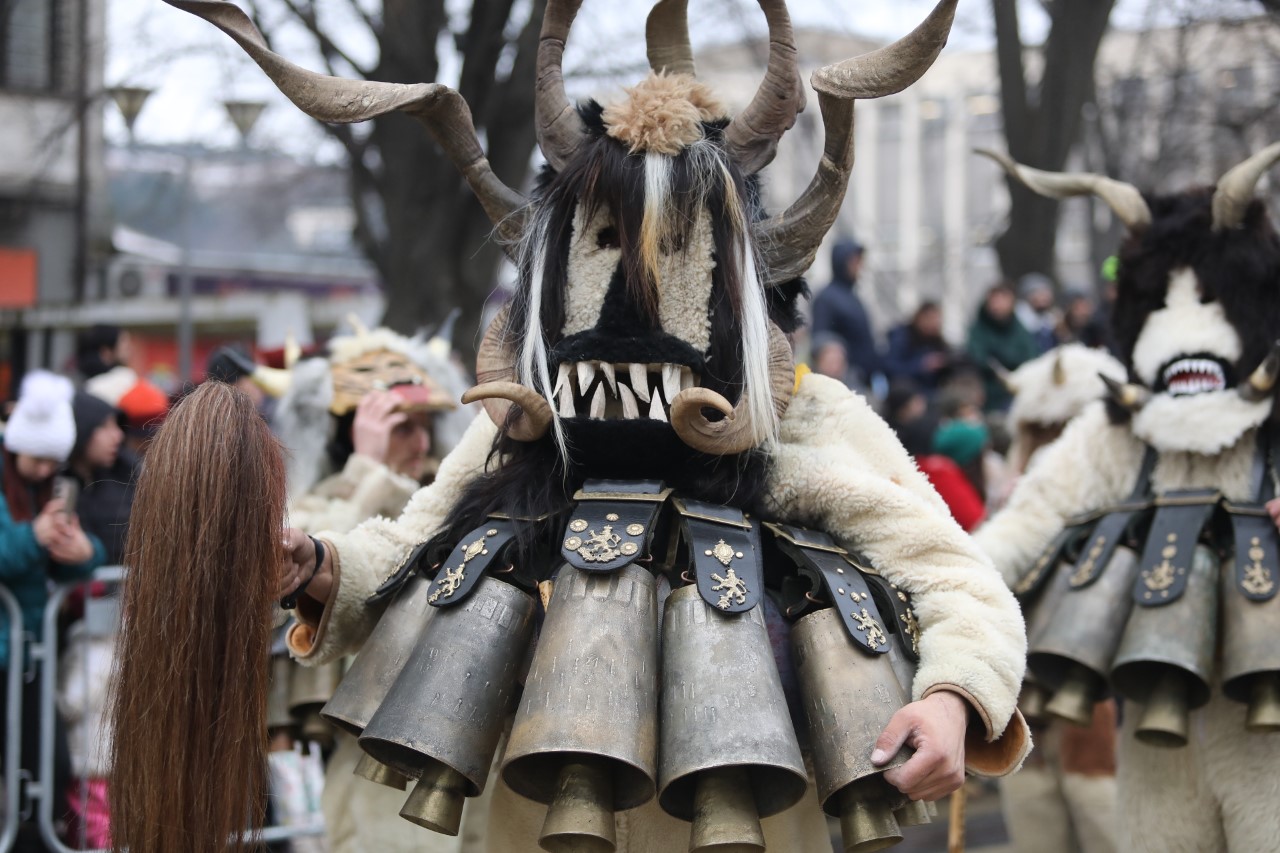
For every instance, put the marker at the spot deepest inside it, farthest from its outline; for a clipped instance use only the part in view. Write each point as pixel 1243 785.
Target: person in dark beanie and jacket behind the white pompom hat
pixel 107 472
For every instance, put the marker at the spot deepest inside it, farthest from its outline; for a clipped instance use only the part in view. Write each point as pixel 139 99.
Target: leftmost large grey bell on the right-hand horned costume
pixel 1073 653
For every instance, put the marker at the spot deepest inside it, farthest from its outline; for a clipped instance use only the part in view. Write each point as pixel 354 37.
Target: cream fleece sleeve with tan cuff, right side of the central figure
pixel 840 468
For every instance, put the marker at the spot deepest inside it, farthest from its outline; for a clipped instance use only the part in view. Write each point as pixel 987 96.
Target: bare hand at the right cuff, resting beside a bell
pixel 935 728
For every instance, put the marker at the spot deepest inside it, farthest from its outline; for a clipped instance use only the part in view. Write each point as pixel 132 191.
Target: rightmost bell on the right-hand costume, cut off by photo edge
pixel 1251 662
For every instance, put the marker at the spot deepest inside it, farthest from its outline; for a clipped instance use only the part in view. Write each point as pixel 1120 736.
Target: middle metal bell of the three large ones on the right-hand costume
pixel 1167 658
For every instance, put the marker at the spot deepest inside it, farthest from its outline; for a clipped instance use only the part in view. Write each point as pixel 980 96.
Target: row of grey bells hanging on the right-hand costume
pixel 1084 644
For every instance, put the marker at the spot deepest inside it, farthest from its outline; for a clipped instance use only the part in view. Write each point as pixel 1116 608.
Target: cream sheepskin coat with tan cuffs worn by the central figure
pixel 838 467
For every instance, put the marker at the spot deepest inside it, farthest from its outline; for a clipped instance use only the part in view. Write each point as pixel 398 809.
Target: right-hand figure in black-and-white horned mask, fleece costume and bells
pixel 1142 528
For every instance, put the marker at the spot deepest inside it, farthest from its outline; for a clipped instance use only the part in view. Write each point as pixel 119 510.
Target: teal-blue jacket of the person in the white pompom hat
pixel 26 571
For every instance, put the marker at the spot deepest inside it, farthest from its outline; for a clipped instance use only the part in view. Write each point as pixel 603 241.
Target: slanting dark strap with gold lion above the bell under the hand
pixel 816 553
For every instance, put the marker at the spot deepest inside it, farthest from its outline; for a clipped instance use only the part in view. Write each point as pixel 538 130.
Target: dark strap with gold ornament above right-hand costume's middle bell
pixel 1167 560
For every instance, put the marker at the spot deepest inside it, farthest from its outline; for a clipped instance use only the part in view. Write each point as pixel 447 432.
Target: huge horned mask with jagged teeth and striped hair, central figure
pixel 653 288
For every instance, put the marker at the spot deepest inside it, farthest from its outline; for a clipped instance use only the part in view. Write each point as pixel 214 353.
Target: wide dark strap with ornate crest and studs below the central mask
pixel 612 524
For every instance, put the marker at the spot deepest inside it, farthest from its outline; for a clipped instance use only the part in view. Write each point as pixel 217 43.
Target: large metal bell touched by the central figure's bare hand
pixel 849 699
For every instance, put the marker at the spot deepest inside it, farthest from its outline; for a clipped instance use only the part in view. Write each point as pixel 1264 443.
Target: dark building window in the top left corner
pixel 38 45
